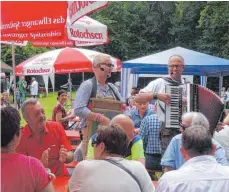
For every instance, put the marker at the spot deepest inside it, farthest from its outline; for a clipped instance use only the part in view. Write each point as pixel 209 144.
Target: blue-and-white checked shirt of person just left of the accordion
pixel 150 134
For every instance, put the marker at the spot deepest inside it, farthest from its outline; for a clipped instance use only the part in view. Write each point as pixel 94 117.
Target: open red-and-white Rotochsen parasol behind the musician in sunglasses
pixel 62 61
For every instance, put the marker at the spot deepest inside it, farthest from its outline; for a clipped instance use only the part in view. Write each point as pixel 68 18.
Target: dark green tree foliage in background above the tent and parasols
pixel 139 28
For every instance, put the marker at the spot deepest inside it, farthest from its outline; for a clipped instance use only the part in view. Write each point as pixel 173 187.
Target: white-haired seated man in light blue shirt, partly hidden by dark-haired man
pixel 172 159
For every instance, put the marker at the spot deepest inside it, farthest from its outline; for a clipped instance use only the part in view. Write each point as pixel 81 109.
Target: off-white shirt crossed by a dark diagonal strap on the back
pixel 102 176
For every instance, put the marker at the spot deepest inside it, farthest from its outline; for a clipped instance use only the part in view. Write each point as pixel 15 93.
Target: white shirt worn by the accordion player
pixel 158 86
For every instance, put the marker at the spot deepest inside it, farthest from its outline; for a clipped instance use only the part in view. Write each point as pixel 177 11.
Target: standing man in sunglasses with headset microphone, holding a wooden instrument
pixel 94 88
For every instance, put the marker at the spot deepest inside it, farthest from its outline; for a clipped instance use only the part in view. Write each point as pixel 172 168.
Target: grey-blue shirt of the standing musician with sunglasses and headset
pixel 83 96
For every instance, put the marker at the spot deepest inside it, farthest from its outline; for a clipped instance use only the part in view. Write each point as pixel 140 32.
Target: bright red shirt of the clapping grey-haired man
pixel 53 137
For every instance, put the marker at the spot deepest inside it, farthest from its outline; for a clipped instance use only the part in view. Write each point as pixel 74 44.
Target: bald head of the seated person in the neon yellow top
pixel 125 123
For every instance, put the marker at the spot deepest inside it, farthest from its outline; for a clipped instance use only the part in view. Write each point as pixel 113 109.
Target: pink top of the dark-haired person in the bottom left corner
pixel 22 173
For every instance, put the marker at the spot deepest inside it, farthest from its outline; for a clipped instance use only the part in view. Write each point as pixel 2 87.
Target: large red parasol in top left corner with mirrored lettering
pixel 27 20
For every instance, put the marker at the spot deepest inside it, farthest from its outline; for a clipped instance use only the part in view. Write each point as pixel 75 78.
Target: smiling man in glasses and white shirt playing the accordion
pixel 156 90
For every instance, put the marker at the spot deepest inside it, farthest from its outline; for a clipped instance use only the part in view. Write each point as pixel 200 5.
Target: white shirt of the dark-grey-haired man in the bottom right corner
pixel 199 174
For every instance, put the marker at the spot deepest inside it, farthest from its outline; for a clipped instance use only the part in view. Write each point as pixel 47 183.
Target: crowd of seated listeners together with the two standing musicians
pixel 125 151
